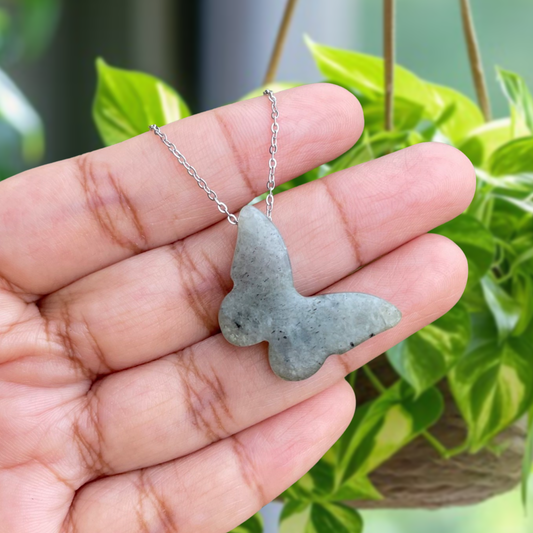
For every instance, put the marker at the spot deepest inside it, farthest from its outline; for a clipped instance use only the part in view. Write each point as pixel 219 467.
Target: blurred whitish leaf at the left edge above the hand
pixel 18 114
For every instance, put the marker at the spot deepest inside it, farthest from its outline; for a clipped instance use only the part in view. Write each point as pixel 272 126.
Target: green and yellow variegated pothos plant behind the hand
pixel 483 347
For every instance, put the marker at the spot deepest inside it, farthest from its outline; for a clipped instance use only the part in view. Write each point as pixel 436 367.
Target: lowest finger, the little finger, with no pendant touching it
pixel 221 486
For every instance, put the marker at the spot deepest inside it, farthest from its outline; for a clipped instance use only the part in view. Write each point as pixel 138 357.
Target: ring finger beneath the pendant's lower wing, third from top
pixel 185 401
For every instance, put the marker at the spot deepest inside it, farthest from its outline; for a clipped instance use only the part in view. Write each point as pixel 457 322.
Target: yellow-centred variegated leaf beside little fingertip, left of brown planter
pixel 383 426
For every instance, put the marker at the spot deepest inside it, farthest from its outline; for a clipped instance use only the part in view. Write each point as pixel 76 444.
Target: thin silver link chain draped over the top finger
pixel 212 195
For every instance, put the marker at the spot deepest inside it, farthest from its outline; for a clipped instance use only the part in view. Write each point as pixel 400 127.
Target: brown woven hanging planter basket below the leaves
pixel 419 477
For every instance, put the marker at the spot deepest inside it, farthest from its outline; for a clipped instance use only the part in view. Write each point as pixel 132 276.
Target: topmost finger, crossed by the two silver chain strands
pixel 63 221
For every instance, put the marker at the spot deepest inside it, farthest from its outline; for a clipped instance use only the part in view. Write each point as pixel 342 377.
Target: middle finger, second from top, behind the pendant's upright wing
pixel 168 298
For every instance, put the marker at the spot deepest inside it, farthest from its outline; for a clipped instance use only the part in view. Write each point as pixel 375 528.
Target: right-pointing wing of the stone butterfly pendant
pixel 325 325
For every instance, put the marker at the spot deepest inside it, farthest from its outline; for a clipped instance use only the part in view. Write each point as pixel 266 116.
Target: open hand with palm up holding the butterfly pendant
pixel 122 408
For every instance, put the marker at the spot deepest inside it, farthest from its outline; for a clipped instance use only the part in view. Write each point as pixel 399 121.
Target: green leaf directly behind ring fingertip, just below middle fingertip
pixel 475 240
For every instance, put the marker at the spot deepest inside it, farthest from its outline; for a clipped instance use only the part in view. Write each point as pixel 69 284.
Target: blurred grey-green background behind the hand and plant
pixel 213 52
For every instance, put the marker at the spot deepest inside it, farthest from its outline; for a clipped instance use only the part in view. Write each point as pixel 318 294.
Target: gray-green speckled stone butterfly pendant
pixel 302 332
